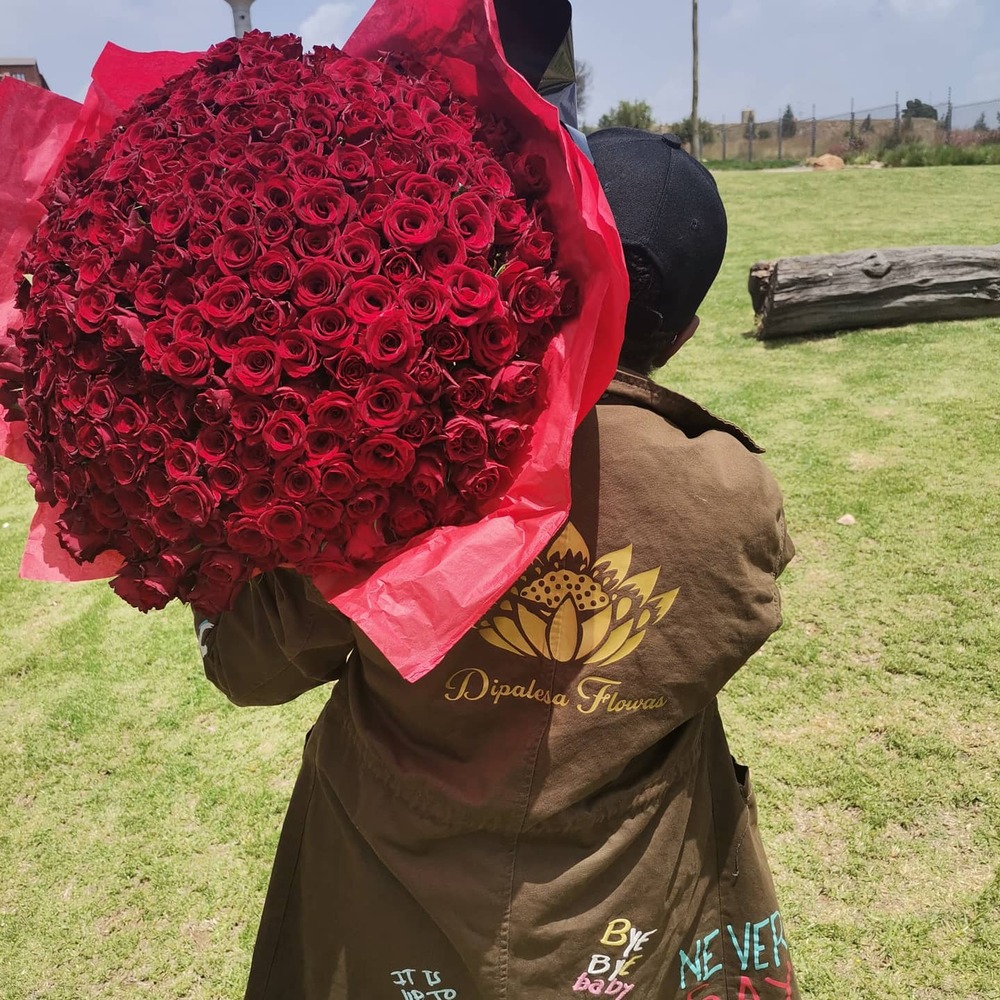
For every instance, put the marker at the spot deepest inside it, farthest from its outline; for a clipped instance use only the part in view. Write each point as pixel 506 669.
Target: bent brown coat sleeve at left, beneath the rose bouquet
pixel 280 639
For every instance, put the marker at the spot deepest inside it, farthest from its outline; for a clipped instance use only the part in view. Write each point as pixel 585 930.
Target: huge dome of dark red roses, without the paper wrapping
pixel 290 310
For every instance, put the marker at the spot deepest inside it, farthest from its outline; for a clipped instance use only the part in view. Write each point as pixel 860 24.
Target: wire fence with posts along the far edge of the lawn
pixel 794 135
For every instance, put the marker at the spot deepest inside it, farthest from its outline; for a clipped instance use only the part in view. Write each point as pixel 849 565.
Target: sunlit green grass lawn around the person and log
pixel 139 811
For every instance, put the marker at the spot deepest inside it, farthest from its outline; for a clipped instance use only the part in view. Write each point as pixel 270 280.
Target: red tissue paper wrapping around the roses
pixel 418 604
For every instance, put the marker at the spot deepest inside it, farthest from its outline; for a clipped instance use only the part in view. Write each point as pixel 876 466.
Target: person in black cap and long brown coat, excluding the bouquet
pixel 553 809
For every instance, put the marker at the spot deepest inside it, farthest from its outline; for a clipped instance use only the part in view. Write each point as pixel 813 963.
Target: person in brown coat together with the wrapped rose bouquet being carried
pixel 320 343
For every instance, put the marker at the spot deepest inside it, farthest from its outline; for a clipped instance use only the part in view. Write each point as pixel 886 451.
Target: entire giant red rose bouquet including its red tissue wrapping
pixel 311 310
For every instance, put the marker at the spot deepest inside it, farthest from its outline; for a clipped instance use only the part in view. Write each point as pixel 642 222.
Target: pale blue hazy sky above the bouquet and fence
pixel 759 54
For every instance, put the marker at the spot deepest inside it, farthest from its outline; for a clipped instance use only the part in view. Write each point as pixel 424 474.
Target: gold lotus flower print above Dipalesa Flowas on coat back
pixel 572 608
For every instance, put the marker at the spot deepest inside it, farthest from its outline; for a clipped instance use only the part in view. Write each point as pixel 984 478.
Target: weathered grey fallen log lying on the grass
pixel 795 296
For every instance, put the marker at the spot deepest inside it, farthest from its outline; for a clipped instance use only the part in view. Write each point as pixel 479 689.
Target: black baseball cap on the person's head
pixel 667 205
